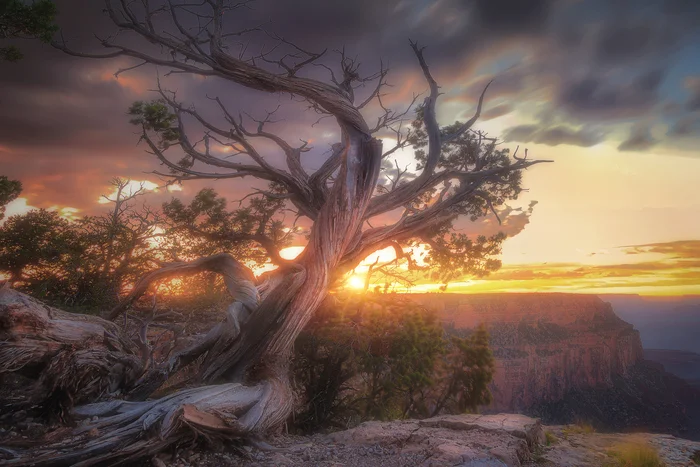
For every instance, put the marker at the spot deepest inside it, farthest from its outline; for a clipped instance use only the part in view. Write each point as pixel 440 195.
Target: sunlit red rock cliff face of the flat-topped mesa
pixel 545 344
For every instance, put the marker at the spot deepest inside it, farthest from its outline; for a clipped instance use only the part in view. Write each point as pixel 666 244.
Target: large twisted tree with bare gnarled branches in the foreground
pixel 244 371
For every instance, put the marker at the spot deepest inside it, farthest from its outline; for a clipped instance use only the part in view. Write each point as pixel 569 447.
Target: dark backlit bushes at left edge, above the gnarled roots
pixel 80 263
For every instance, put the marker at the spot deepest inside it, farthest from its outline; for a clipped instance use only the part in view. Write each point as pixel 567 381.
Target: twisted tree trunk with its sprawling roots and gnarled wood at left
pixel 246 362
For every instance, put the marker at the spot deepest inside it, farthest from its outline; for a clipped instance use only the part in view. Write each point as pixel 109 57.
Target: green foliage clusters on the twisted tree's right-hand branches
pixel 455 255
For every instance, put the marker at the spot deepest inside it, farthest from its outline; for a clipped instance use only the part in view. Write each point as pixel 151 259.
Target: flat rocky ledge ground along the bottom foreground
pixel 465 440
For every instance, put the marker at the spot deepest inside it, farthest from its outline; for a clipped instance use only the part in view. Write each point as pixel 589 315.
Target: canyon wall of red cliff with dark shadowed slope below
pixel 569 358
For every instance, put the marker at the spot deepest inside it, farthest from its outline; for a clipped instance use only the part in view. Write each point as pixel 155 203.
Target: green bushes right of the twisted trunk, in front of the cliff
pixel 384 357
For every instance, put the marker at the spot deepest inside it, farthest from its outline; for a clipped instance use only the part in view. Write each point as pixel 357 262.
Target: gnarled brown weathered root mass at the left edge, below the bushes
pixel 77 358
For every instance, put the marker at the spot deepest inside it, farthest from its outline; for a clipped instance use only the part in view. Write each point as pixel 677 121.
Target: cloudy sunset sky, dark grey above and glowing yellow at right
pixel 607 89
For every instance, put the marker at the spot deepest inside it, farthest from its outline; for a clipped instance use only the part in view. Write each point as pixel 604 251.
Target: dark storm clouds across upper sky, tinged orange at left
pixel 594 60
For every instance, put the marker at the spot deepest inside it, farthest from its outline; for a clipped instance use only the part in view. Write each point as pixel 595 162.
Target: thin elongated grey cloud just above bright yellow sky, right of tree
pixel 554 136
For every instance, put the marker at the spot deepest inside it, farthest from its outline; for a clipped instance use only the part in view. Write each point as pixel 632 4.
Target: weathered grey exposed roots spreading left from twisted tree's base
pixel 120 431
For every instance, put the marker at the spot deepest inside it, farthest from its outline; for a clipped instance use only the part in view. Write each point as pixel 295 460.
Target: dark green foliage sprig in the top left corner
pixel 19 19
